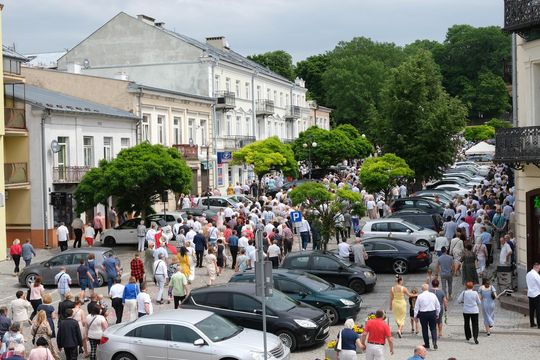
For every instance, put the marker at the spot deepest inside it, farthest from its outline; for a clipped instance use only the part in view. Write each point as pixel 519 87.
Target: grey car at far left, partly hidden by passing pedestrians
pixel 69 259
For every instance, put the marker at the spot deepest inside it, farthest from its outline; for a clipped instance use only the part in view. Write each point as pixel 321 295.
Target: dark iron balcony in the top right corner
pixel 521 16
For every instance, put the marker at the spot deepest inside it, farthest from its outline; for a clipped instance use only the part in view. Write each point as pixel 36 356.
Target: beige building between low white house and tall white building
pixel 166 117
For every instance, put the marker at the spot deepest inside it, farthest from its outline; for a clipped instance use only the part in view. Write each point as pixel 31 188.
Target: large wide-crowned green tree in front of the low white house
pixel 136 178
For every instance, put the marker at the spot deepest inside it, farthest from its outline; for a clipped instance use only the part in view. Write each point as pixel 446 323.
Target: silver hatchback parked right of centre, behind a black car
pixel 399 229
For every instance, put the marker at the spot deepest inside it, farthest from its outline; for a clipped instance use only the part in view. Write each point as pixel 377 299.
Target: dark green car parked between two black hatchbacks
pixel 338 302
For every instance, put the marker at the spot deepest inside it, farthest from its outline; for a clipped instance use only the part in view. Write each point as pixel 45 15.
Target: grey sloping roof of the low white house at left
pixel 58 102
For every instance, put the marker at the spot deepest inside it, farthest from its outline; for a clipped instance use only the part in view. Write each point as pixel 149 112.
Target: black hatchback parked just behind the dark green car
pixel 331 268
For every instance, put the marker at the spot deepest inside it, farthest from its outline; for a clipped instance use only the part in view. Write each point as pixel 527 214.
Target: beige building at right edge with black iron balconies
pixel 519 147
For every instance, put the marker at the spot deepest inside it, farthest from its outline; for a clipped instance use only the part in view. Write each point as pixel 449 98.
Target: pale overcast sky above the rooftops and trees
pixel 301 27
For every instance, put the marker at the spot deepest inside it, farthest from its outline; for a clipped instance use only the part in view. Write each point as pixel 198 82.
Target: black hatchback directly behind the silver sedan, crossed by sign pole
pixel 297 324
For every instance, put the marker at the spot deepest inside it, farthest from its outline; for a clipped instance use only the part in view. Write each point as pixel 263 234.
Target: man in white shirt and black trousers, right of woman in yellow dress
pixel 427 309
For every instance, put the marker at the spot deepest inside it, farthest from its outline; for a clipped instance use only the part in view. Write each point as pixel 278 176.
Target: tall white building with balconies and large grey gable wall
pixel 251 102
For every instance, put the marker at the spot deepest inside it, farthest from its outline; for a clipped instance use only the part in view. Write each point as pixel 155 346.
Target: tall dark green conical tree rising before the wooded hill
pixel 418 120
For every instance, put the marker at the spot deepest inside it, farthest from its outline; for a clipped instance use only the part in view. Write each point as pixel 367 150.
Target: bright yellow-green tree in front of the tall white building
pixel 267 155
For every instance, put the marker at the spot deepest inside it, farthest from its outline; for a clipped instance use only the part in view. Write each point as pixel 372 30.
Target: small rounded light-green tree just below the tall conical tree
pixel 383 173
